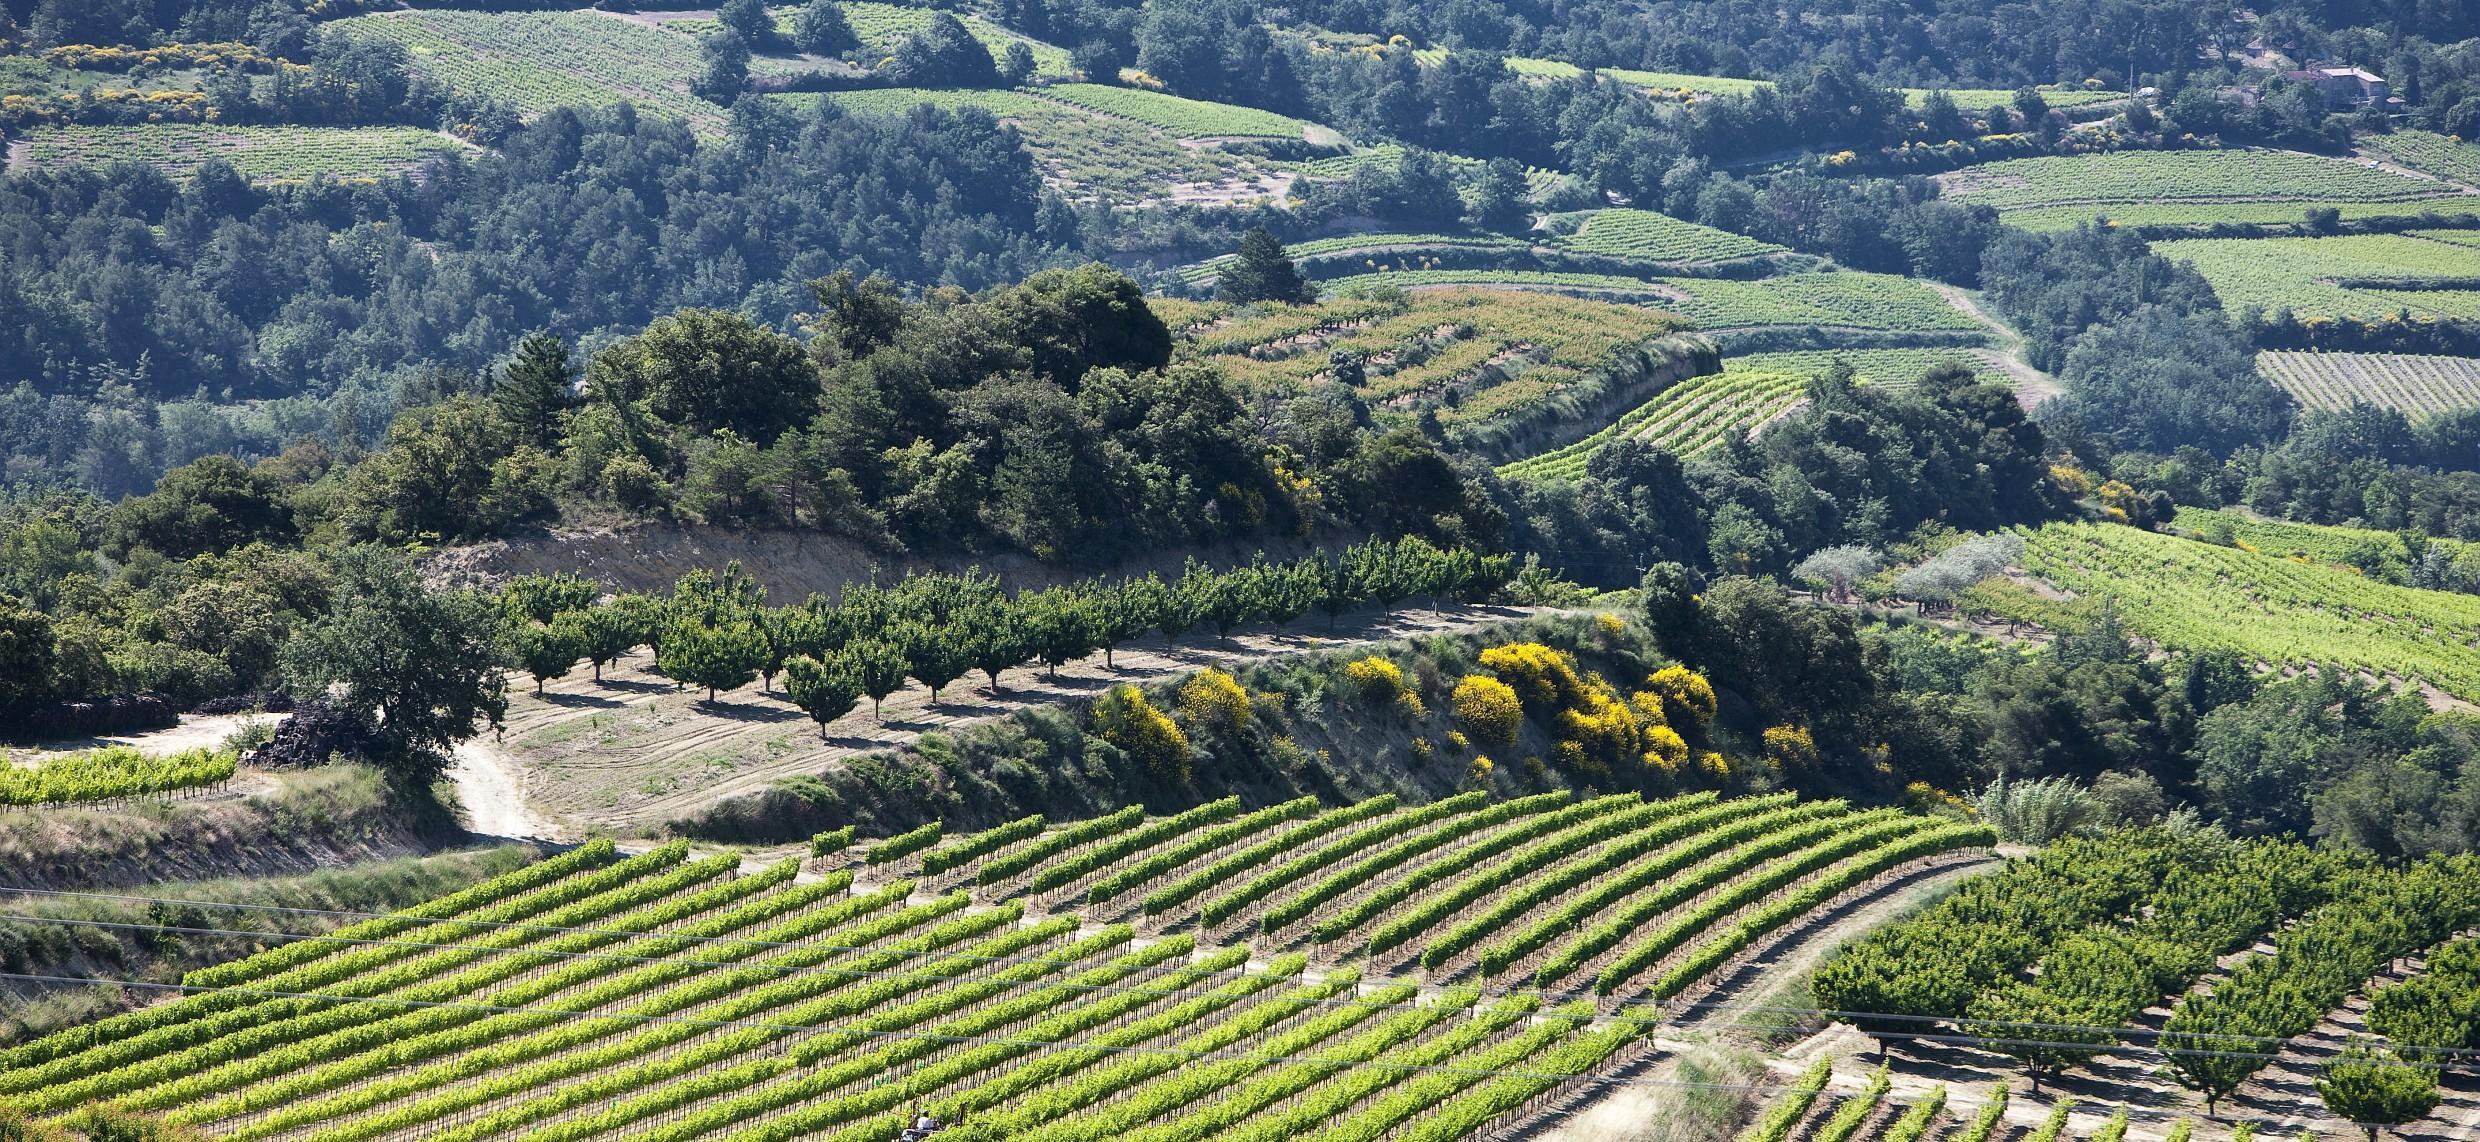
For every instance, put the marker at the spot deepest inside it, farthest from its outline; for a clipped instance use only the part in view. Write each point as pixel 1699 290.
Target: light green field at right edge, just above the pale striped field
pixel 2345 277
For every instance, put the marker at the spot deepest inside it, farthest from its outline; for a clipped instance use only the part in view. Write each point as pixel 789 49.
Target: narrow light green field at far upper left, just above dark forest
pixel 257 153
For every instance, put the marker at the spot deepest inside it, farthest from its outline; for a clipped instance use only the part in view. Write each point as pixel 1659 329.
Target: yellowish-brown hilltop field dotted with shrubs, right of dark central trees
pixel 1469 354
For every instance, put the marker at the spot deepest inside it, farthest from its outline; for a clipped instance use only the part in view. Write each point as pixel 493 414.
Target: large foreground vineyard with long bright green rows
pixel 666 999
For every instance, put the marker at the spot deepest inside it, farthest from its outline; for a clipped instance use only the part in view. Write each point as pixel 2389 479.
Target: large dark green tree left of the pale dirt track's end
pixel 415 664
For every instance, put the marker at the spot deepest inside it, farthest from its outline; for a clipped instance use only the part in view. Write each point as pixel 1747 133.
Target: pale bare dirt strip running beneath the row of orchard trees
pixel 634 751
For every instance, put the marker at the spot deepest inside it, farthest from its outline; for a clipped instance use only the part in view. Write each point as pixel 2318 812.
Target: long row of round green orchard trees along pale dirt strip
pixel 934 629
